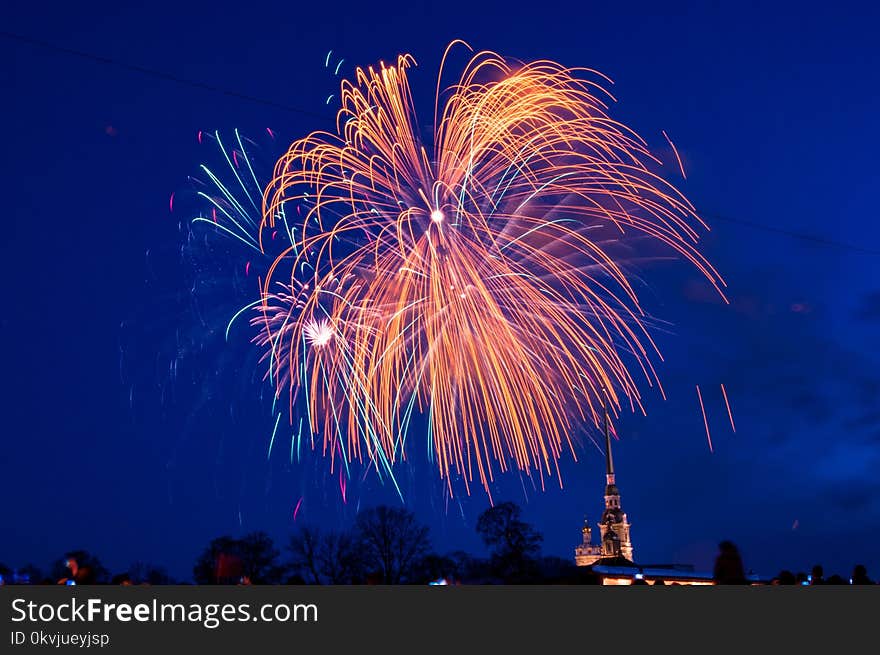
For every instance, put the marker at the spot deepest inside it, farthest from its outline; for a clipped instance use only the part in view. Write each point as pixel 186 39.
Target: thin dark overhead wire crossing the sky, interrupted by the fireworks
pixel 144 70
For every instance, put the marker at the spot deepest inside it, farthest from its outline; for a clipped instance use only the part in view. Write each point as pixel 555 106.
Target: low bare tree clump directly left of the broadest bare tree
pixel 326 558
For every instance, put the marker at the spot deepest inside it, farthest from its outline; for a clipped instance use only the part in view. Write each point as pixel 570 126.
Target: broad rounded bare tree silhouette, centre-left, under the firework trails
pixel 391 541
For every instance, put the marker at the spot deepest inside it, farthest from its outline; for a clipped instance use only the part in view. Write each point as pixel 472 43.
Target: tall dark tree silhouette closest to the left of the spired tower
pixel 513 543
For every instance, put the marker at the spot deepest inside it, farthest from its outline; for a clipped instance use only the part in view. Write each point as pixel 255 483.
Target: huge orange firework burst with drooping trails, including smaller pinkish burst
pixel 468 277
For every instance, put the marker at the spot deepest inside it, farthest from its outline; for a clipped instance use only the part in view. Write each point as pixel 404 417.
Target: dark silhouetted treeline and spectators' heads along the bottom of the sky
pixel 386 545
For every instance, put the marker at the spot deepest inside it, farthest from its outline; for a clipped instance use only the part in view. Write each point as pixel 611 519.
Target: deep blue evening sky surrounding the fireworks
pixel 774 113
